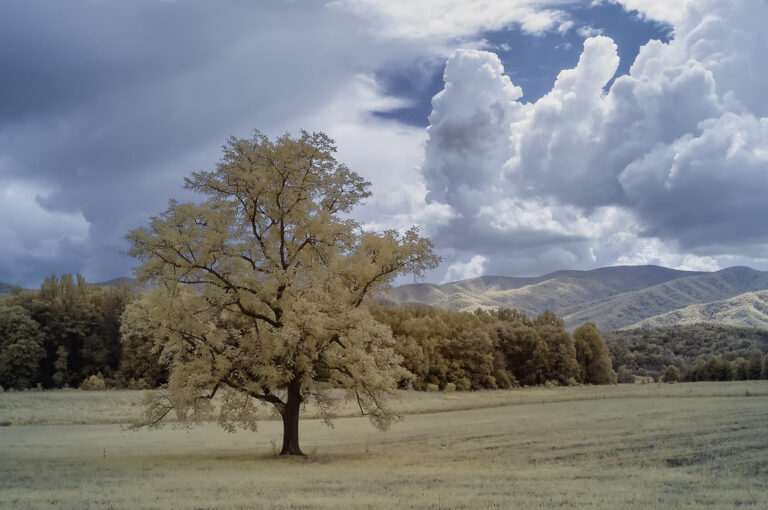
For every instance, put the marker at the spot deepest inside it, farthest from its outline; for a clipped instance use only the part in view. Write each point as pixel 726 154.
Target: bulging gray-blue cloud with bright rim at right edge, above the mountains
pixel 708 189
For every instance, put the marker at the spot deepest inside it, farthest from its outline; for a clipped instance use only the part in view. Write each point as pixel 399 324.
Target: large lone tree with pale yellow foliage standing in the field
pixel 258 290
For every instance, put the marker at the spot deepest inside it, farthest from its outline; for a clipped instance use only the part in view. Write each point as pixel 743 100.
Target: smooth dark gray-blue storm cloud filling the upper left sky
pixel 105 106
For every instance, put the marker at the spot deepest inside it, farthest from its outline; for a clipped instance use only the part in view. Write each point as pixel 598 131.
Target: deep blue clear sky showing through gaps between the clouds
pixel 531 61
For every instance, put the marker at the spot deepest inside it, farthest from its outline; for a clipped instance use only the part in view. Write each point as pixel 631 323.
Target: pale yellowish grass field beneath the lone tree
pixel 697 445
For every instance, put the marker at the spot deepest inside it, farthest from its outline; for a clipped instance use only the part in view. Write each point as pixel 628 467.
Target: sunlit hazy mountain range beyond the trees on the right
pixel 620 297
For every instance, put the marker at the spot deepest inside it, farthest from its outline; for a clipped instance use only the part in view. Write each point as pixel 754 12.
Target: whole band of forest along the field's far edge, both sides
pixel 67 334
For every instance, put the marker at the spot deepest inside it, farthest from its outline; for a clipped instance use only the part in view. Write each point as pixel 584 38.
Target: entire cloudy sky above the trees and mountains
pixel 521 136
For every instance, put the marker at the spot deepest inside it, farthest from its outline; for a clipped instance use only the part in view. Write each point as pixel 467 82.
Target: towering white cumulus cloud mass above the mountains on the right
pixel 669 165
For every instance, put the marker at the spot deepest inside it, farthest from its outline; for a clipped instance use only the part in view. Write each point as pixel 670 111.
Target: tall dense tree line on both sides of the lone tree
pixel 68 334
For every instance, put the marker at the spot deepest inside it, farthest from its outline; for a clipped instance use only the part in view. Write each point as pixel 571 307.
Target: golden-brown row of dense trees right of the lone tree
pixel 490 349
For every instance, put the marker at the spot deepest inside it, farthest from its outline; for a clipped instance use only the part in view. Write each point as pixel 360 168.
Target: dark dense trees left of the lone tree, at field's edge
pixel 67 334
